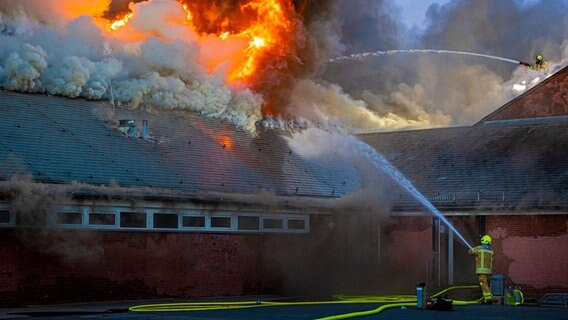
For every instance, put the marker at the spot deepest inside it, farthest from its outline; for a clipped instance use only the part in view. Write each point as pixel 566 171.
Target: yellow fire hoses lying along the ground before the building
pixel 392 301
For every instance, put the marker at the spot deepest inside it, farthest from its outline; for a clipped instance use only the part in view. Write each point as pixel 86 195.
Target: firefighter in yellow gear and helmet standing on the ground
pixel 484 266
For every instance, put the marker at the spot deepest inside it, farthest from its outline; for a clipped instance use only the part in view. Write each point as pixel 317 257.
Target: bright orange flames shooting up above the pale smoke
pixel 261 24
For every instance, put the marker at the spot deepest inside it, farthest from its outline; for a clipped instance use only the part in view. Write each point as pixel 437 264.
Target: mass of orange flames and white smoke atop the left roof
pixel 237 59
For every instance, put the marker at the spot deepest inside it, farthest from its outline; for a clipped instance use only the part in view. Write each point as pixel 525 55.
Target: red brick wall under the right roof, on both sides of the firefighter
pixel 530 251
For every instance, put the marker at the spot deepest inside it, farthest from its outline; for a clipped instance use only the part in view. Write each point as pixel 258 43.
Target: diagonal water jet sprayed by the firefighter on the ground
pixel 383 164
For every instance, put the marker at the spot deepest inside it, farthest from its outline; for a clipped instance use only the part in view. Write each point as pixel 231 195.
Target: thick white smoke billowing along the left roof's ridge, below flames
pixel 43 53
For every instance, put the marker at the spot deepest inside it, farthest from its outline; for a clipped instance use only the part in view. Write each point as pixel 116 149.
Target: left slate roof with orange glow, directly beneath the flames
pixel 59 140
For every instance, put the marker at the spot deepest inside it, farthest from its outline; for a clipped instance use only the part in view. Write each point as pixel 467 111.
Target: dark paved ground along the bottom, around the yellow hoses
pixel 119 310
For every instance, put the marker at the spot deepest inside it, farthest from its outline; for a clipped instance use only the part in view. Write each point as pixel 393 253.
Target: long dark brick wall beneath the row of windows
pixel 40 266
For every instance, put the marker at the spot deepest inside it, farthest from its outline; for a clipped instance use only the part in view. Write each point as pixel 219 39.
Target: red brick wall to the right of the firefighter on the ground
pixel 531 251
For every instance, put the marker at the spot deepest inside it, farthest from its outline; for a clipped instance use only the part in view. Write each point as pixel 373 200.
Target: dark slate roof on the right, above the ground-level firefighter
pixel 516 163
